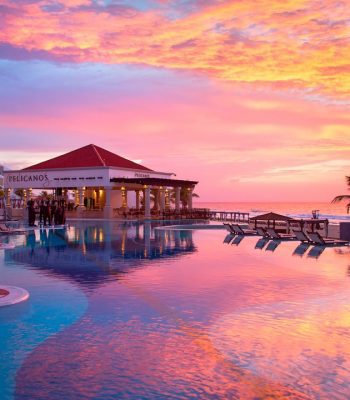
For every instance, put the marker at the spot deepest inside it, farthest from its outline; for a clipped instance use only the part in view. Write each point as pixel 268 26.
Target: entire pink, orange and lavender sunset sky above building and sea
pixel 251 98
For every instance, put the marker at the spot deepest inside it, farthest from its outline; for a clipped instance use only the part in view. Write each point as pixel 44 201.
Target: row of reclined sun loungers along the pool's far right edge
pixel 272 234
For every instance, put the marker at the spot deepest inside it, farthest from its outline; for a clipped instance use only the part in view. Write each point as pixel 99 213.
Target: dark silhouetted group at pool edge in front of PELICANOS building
pixel 51 212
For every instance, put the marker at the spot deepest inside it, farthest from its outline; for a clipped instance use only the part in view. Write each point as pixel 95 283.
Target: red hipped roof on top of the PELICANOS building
pixel 88 156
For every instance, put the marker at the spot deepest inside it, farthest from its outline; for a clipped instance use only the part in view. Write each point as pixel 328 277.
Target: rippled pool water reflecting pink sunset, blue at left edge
pixel 127 311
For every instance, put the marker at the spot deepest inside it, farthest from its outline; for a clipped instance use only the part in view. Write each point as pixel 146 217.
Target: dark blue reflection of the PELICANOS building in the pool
pixel 91 254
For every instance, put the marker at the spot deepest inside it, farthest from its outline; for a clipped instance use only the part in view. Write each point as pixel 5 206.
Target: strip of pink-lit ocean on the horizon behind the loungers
pixel 334 212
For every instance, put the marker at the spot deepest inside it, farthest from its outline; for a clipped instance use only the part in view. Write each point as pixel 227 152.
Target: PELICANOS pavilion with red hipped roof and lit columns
pixel 102 179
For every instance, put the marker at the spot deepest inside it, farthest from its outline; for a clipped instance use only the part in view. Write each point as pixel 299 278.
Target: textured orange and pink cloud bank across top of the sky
pixel 287 45
